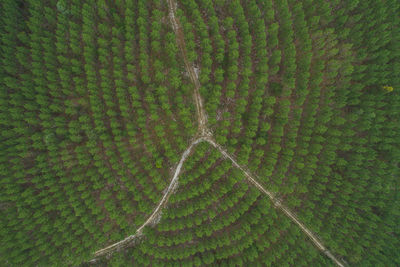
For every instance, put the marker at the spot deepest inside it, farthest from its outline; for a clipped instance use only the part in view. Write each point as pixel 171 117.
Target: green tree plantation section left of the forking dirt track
pixel 81 131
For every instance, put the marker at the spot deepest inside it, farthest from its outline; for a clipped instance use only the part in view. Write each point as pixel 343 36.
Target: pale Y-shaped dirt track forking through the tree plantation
pixel 206 135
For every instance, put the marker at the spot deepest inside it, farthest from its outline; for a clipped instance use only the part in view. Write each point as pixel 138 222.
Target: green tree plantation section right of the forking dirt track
pixel 310 112
